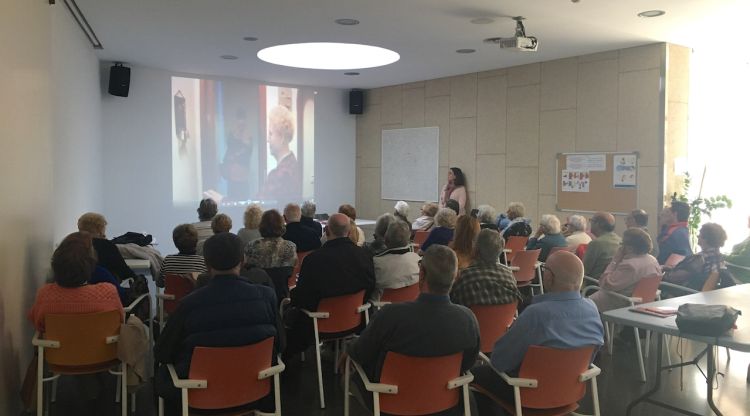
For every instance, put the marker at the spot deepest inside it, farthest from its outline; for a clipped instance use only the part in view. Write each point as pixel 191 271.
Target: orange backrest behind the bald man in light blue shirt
pixel 557 372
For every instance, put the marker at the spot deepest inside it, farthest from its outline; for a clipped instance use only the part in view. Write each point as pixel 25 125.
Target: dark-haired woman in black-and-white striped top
pixel 187 260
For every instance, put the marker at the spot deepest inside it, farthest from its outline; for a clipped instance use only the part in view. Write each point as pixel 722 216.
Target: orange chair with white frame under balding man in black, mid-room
pixel 336 315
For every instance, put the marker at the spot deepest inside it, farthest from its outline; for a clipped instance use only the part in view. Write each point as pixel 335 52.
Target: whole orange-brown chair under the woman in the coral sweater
pixel 83 343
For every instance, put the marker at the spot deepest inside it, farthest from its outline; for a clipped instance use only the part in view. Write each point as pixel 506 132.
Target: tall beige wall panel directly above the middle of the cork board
pixel 597 106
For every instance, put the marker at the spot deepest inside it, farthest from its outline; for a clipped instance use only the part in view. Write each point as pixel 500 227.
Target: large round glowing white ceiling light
pixel 328 55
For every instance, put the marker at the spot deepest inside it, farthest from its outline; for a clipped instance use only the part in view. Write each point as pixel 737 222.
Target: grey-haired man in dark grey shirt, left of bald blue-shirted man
pixel 428 327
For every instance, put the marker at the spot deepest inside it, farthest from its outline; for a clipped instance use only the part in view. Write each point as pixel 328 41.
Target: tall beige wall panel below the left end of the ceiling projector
pixel 491 119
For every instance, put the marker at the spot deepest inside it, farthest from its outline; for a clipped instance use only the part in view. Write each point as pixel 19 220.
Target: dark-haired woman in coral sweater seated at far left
pixel 73 264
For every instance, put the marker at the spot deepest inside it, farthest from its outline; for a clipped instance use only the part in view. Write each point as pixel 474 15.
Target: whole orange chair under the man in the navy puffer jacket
pixel 228 377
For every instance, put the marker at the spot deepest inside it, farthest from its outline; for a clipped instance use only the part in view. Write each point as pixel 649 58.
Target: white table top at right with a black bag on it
pixel 737 297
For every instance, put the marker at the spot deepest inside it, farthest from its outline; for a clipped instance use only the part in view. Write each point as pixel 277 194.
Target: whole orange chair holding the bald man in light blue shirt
pixel 550 382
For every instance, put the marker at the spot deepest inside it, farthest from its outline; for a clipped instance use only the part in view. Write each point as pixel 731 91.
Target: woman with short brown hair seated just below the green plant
pixel 702 271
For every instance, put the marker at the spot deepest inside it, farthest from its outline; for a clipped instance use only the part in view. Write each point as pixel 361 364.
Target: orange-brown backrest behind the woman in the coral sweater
pixel 82 338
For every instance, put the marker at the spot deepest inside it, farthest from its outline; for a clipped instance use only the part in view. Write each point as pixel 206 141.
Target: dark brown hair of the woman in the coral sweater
pixel 74 261
